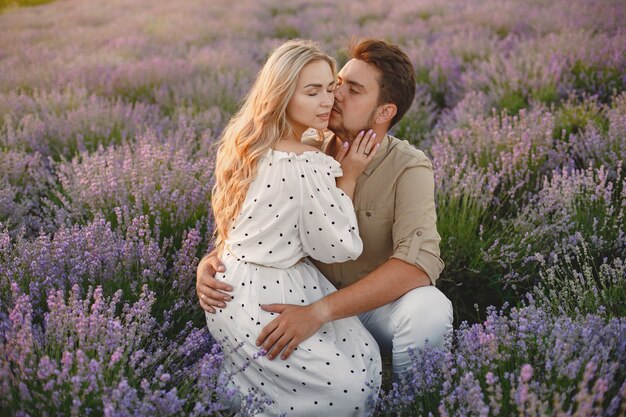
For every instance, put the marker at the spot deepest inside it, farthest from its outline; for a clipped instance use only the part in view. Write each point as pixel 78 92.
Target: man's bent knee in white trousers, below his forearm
pixel 421 315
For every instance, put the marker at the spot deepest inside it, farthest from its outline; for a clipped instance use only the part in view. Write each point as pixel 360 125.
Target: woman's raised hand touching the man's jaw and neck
pixel 355 158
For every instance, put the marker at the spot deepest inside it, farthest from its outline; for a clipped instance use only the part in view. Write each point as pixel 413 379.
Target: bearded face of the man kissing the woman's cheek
pixel 356 99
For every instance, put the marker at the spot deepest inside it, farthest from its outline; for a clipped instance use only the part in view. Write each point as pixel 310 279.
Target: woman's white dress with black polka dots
pixel 293 209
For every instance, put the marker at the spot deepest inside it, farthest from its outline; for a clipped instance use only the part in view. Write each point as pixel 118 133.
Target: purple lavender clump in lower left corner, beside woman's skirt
pixel 89 358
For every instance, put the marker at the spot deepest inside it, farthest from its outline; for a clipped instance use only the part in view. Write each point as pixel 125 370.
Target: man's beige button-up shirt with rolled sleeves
pixel 395 207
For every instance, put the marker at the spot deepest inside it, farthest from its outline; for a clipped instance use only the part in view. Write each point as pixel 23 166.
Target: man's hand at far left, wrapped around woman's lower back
pixel 209 289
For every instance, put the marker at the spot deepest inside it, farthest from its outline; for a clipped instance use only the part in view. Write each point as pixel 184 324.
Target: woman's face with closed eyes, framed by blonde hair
pixel 313 98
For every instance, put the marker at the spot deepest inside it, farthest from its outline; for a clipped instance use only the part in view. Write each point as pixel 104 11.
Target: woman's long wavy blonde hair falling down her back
pixel 258 126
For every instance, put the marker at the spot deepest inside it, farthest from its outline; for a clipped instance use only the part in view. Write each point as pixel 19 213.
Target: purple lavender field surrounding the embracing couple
pixel 108 115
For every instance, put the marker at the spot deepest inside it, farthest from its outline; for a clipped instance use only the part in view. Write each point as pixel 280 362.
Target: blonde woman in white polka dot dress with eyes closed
pixel 277 201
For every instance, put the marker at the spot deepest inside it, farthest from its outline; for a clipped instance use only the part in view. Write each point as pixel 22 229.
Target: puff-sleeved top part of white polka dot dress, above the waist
pixel 299 190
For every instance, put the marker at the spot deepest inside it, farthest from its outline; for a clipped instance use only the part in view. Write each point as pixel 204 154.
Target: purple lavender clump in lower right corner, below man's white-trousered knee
pixel 488 369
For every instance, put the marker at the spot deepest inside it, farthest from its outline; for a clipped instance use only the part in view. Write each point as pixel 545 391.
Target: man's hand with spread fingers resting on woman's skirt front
pixel 294 325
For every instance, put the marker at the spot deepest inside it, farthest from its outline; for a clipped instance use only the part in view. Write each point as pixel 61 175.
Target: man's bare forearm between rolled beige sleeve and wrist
pixel 385 284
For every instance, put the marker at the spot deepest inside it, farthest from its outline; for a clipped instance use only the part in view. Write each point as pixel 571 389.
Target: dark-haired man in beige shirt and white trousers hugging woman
pixel 391 285
